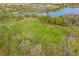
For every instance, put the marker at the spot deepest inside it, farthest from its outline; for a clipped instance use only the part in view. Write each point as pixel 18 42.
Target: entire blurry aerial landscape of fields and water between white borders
pixel 39 29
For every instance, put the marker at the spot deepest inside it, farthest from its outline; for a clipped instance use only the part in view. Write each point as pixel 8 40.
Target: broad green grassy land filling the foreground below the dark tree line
pixel 31 37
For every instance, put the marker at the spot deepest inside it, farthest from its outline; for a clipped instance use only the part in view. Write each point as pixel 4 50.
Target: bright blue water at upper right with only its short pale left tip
pixel 61 12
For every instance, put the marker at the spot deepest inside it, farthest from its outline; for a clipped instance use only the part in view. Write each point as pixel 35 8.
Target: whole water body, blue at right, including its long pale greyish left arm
pixel 58 13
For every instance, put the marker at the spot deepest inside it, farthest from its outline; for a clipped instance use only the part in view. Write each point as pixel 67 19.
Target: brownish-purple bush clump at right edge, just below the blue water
pixel 67 20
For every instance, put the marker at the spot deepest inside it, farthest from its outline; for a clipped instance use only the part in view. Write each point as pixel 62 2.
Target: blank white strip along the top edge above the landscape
pixel 39 1
